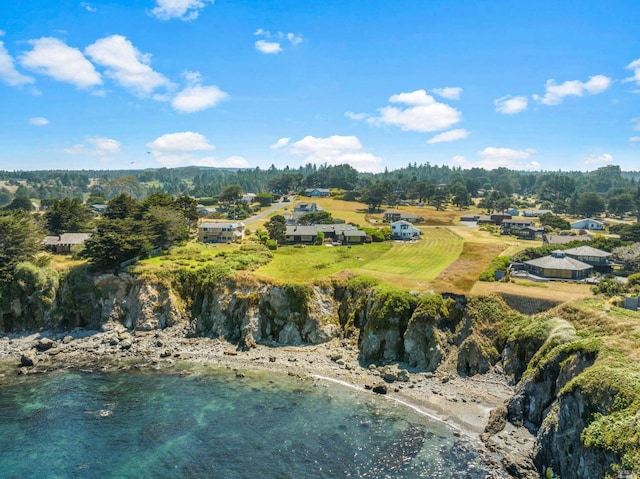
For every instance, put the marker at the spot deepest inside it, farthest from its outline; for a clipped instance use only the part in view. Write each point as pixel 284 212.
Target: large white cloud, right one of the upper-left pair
pixel 126 65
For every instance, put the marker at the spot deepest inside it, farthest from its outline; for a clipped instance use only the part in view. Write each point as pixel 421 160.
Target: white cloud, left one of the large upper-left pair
pixel 54 58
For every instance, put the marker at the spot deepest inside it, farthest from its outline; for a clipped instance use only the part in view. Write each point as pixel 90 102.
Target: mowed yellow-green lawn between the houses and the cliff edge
pixel 409 265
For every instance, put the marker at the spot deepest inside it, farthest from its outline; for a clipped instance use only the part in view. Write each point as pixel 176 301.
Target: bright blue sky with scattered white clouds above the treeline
pixel 544 85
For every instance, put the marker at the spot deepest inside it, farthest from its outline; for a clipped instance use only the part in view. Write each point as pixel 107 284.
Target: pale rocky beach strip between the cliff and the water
pixel 464 403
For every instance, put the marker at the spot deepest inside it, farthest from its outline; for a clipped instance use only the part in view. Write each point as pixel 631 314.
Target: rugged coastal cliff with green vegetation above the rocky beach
pixel 545 357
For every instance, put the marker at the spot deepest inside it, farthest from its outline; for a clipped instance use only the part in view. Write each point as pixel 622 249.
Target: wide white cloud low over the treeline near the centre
pixel 332 150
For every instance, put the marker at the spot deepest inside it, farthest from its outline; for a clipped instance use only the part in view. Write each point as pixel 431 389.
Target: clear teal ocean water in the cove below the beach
pixel 150 424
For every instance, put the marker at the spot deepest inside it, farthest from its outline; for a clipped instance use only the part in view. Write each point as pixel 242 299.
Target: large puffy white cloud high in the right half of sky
pixel 422 113
